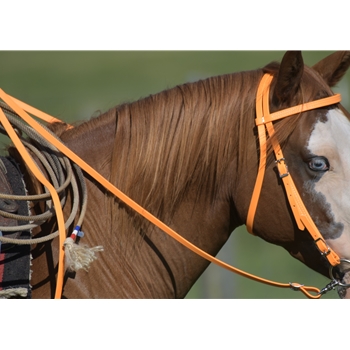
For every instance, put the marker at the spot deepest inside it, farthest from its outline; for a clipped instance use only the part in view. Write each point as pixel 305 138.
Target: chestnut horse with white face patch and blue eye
pixel 190 156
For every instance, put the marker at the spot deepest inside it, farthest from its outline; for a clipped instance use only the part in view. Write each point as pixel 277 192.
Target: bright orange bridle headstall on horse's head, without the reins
pixel 264 120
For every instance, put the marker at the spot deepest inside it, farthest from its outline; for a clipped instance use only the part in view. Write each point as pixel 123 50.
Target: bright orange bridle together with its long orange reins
pixel 303 220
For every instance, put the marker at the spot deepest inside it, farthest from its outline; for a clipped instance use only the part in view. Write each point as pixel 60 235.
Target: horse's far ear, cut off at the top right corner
pixel 333 67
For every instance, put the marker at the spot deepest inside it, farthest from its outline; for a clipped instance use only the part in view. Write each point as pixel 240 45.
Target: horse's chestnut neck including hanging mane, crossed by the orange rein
pixel 186 180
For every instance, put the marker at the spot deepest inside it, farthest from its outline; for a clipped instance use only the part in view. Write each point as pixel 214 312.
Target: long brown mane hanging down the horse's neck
pixel 206 119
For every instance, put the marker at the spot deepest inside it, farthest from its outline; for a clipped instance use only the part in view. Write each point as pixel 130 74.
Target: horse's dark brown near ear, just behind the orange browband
pixel 288 79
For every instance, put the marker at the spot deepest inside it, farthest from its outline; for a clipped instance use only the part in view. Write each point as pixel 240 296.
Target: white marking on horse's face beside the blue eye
pixel 330 138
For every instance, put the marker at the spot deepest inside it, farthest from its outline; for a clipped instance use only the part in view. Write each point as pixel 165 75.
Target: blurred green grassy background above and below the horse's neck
pixel 73 85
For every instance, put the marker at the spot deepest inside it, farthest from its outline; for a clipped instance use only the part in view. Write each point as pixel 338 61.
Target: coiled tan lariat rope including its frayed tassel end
pixel 63 174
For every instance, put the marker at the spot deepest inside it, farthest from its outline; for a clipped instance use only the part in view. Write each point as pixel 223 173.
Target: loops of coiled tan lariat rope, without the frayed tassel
pixel 60 171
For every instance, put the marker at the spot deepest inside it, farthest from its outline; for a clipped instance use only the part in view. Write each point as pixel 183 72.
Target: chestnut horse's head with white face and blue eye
pixel 315 146
